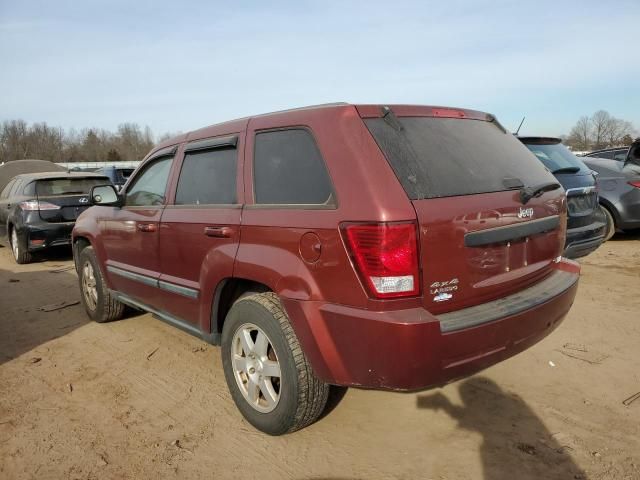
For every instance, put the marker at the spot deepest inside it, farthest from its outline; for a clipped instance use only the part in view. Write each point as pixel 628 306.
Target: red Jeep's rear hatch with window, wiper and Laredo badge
pixel 465 175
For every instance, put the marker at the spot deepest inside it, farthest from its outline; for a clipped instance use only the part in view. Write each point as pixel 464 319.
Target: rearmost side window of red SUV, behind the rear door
pixel 288 169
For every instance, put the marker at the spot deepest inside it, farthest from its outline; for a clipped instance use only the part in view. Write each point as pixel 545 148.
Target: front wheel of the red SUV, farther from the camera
pixel 98 301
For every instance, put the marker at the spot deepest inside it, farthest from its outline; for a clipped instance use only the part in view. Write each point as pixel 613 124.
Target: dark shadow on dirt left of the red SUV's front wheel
pixel 23 325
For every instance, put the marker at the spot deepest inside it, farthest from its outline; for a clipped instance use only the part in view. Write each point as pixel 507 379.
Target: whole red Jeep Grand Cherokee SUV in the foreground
pixel 388 247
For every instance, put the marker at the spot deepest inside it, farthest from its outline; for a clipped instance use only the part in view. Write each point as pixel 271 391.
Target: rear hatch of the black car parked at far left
pixel 63 199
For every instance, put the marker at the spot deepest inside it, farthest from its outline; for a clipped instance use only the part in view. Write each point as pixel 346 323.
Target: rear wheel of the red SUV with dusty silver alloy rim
pixel 268 375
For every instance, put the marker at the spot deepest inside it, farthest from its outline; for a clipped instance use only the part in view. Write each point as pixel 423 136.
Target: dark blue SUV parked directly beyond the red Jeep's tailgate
pixel 586 222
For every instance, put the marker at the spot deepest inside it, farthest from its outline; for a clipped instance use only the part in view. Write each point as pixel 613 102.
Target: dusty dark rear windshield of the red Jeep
pixel 444 157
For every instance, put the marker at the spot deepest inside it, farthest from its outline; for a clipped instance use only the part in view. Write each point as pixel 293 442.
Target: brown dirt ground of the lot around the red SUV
pixel 139 399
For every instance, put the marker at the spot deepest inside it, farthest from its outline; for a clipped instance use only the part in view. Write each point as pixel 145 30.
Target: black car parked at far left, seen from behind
pixel 38 210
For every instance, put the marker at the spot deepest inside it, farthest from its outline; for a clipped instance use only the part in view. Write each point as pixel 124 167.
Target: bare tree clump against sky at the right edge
pixel 600 130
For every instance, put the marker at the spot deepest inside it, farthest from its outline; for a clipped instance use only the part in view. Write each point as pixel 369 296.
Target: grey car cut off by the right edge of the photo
pixel 619 188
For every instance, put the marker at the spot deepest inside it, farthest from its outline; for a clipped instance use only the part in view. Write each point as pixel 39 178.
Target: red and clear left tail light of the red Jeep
pixel 386 257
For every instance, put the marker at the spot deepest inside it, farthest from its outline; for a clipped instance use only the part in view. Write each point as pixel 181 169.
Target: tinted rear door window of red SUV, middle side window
pixel 208 178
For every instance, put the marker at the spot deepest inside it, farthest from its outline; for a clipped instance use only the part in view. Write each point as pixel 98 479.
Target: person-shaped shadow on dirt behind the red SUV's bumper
pixel 515 442
